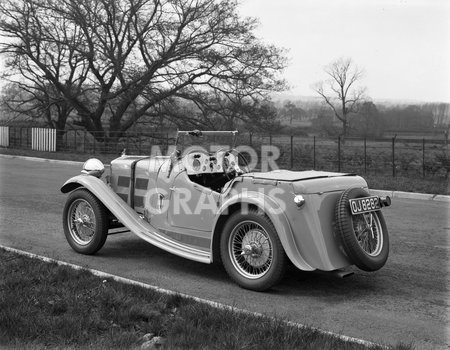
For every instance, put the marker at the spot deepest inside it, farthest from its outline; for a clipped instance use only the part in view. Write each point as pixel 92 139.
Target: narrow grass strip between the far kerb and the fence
pixel 422 185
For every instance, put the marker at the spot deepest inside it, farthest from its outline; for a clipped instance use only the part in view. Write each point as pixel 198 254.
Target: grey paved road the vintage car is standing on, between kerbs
pixel 406 301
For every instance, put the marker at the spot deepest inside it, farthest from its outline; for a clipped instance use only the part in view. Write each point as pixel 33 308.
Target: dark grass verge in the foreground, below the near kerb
pixel 44 305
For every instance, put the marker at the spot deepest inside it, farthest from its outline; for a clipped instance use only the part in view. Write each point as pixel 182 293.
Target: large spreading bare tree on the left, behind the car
pixel 114 61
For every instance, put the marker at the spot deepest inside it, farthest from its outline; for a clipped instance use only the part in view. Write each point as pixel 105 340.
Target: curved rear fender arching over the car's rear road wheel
pixel 275 213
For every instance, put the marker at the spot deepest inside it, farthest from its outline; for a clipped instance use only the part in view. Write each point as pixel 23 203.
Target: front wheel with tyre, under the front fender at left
pixel 85 222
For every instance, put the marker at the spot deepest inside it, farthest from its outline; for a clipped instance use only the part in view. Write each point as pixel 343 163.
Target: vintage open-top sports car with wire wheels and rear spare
pixel 208 206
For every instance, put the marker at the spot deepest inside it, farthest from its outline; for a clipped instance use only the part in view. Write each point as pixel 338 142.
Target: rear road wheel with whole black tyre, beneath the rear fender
pixel 251 251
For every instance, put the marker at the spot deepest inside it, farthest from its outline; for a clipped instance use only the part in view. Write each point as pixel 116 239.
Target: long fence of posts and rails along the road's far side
pixel 414 157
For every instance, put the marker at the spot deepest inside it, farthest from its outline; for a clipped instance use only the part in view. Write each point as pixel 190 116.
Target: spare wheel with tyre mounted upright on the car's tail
pixel 364 236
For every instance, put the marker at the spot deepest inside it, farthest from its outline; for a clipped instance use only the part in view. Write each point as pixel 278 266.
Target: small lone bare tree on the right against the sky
pixel 340 92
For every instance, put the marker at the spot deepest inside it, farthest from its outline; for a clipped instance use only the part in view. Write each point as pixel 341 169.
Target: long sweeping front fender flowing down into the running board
pixel 132 220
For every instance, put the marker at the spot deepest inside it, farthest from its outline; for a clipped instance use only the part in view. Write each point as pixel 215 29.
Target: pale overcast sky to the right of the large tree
pixel 402 45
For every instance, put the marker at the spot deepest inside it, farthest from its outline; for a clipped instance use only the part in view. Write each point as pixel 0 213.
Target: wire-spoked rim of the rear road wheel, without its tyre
pixel 250 249
